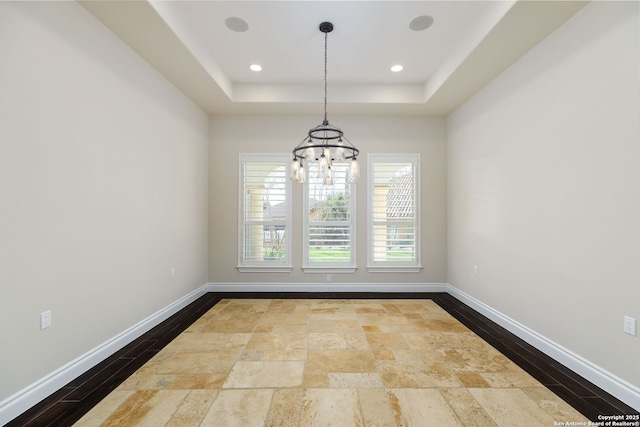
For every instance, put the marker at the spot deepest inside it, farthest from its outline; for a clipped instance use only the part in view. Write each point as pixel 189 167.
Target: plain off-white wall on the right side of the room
pixel 544 189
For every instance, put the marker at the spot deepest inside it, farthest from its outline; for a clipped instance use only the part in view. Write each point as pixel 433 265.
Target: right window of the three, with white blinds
pixel 394 213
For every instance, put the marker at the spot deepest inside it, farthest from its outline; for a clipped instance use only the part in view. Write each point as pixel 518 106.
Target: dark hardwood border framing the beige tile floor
pixel 71 402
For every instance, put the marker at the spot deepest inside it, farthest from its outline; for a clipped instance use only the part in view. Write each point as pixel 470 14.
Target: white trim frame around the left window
pixel 284 266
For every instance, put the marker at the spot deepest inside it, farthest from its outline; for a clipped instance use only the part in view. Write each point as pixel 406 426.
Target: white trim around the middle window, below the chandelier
pixel 329 268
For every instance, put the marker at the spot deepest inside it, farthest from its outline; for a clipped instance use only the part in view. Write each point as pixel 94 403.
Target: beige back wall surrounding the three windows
pixel 231 135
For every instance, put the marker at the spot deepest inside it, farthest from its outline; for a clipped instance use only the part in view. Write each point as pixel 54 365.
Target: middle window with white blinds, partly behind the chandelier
pixel 329 221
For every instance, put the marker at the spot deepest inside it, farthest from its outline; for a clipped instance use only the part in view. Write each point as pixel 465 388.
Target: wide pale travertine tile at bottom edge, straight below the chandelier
pixel 330 408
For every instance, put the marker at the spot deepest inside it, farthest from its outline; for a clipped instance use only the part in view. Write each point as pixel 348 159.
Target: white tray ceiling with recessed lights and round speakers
pixel 468 44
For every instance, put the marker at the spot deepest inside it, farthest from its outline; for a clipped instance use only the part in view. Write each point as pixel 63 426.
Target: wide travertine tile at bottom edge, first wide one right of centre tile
pixel 422 407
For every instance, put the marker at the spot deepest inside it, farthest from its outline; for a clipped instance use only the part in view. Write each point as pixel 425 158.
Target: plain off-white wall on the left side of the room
pixel 103 188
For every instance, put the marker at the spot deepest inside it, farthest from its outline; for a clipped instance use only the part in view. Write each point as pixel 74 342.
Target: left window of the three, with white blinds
pixel 265 213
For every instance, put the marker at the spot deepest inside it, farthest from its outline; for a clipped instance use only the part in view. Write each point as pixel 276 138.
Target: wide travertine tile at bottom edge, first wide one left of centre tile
pixel 245 408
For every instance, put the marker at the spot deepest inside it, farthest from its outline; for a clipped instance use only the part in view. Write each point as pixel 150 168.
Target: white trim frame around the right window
pixel 393 266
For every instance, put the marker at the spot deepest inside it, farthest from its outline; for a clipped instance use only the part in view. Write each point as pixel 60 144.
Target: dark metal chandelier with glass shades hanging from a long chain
pixel 324 143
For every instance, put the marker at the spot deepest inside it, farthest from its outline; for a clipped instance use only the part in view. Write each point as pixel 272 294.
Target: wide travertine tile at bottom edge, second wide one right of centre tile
pixel 511 407
